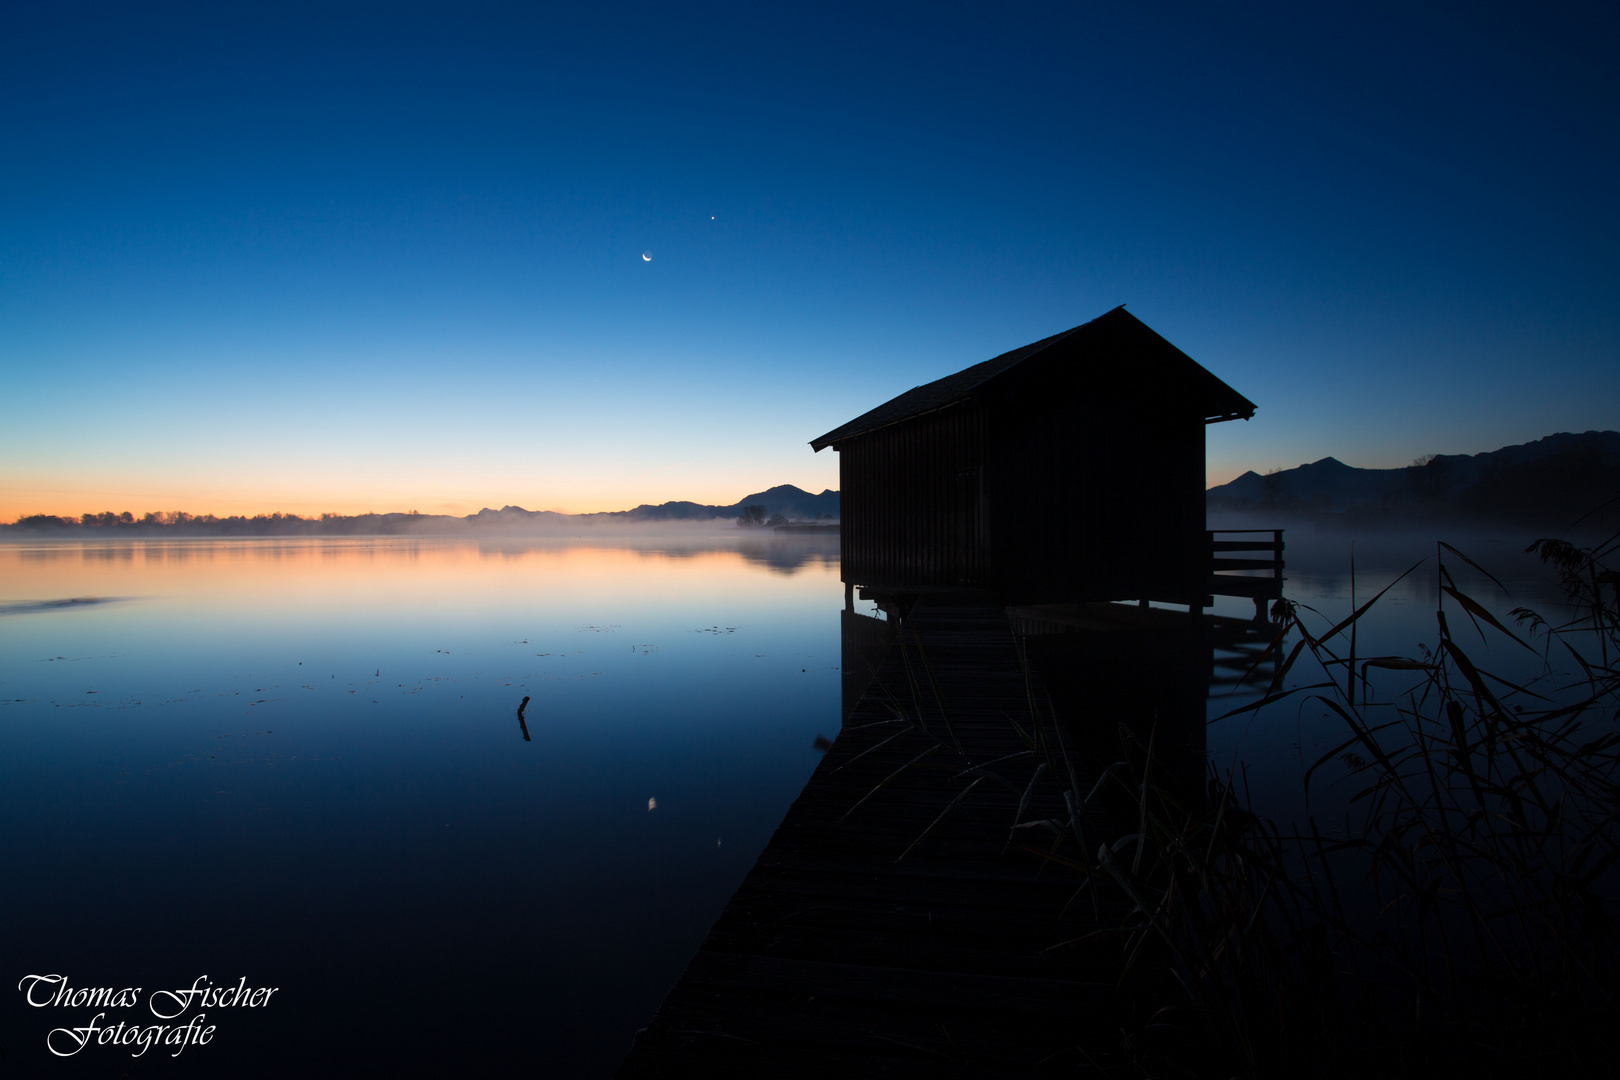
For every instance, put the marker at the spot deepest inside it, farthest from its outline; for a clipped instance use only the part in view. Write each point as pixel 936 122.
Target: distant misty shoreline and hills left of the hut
pixel 785 501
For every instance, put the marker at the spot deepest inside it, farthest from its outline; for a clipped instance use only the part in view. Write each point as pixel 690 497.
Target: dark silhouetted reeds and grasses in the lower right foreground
pixel 1457 917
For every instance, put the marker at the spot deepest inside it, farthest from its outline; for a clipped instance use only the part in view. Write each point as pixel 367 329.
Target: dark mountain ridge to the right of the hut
pixel 1553 480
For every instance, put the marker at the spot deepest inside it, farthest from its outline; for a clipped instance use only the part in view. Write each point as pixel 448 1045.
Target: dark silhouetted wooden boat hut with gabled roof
pixel 1065 472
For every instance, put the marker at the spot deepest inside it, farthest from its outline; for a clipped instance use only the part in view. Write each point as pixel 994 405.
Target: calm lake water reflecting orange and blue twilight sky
pixel 301 765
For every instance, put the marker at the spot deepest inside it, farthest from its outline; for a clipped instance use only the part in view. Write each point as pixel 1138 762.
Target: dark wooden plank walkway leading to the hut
pixel 838 958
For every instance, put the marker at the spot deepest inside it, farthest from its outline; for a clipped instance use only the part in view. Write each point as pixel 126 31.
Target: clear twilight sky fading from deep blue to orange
pixel 390 257
